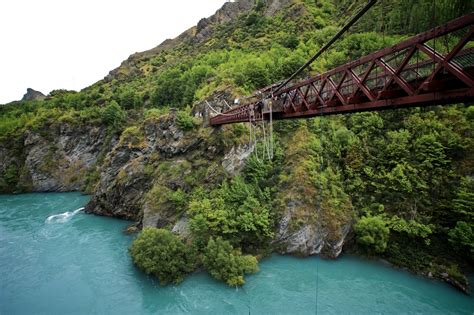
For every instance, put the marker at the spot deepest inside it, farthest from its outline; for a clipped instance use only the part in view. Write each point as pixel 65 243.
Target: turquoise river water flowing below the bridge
pixel 54 259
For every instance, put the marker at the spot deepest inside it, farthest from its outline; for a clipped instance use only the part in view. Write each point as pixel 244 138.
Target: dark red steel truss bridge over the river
pixel 431 68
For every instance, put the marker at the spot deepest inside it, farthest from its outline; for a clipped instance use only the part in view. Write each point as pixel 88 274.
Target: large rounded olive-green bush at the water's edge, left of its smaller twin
pixel 162 254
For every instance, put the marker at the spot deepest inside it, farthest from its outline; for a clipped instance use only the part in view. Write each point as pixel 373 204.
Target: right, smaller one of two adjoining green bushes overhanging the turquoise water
pixel 225 263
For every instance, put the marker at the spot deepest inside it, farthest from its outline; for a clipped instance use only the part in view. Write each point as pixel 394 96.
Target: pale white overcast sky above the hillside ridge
pixel 71 44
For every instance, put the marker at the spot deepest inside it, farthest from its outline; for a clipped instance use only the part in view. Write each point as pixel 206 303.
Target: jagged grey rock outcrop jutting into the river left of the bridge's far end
pixel 125 180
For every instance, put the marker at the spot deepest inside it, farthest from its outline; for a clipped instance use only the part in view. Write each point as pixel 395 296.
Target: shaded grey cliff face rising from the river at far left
pixel 55 159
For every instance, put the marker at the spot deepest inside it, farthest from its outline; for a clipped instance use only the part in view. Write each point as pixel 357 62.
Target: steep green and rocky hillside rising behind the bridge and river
pixel 137 141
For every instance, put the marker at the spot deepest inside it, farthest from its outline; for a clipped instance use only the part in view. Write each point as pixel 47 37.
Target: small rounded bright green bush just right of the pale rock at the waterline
pixel 372 233
